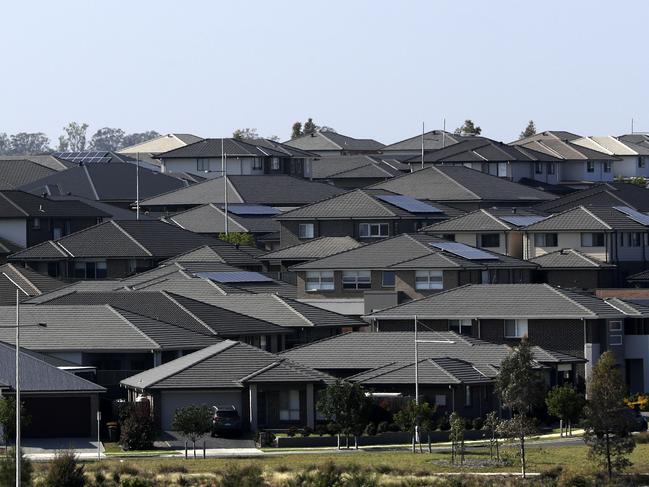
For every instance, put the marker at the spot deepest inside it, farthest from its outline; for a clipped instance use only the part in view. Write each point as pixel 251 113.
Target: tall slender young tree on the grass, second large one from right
pixel 521 388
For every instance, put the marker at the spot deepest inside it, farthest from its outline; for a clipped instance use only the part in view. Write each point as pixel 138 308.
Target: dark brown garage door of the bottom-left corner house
pixel 56 417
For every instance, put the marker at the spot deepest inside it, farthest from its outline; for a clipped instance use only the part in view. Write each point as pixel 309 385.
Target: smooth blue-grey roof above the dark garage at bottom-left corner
pixel 37 375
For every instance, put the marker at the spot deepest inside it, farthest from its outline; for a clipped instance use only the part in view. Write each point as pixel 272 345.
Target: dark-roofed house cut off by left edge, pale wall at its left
pixel 27 220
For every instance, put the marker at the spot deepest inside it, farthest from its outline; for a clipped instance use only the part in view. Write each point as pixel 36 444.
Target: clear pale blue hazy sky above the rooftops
pixel 367 68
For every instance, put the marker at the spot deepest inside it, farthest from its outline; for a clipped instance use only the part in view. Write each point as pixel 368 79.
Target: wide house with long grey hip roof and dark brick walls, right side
pixel 557 319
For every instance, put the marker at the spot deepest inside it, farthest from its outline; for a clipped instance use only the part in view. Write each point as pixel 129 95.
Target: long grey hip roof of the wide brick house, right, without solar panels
pixel 503 301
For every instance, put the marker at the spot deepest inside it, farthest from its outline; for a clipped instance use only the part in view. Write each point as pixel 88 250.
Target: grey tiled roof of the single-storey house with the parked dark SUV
pixel 236 363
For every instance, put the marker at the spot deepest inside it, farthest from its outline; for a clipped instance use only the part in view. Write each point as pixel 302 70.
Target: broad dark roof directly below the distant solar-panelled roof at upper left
pixel 105 182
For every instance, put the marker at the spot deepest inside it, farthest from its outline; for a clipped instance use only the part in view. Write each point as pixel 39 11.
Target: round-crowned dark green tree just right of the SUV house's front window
pixel 346 406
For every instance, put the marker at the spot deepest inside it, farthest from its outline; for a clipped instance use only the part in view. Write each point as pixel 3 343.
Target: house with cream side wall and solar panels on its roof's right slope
pixel 496 229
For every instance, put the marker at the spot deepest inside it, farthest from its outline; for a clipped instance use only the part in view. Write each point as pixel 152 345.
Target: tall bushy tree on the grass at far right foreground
pixel 607 418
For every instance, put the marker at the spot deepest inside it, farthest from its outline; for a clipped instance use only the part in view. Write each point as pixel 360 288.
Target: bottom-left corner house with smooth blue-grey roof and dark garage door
pixel 59 403
